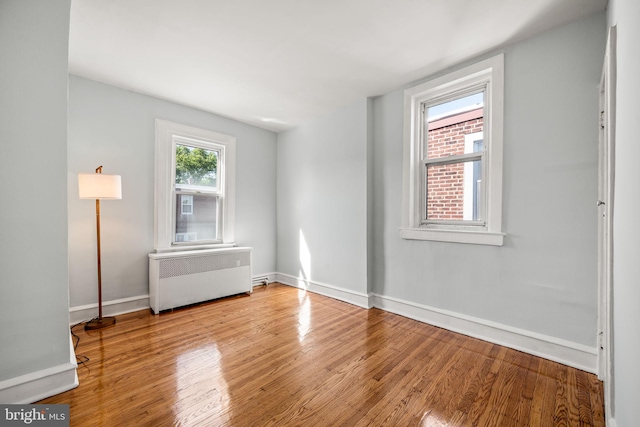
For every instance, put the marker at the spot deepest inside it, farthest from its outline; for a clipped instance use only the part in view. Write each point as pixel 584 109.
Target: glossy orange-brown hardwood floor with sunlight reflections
pixel 285 357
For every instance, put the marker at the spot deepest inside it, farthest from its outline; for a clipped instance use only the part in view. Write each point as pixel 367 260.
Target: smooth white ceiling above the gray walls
pixel 278 63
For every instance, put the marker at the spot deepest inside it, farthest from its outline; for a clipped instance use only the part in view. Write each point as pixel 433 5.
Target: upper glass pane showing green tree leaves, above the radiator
pixel 196 167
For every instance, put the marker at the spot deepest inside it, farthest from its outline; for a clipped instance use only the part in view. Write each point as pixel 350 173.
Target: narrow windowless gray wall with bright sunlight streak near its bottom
pixel 322 199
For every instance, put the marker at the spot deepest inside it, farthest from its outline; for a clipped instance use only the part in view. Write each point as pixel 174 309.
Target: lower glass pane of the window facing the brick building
pixel 454 191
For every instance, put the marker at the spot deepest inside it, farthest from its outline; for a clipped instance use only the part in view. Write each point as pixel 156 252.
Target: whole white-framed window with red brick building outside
pixel 453 157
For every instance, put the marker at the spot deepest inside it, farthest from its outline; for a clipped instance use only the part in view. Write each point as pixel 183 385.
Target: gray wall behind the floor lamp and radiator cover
pixel 115 128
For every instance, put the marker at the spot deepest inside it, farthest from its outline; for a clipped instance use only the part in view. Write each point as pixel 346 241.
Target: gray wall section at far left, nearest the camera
pixel 34 306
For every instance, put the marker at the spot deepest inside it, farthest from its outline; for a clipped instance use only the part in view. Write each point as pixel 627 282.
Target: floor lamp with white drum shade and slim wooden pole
pixel 99 186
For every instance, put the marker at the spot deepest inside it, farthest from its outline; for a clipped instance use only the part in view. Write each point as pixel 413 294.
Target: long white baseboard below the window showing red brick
pixel 562 351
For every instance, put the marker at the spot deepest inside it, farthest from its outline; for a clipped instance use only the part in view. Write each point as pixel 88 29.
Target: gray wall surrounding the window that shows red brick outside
pixel 544 277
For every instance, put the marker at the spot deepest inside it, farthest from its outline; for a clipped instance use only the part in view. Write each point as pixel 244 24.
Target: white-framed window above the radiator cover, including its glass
pixel 195 183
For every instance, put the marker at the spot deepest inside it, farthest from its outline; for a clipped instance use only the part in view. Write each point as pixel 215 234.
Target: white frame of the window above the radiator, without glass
pixel 167 135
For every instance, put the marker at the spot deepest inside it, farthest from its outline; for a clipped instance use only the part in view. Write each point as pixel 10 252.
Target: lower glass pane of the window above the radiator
pixel 201 223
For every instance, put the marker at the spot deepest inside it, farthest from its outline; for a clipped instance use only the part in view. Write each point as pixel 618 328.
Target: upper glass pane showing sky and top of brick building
pixel 448 123
